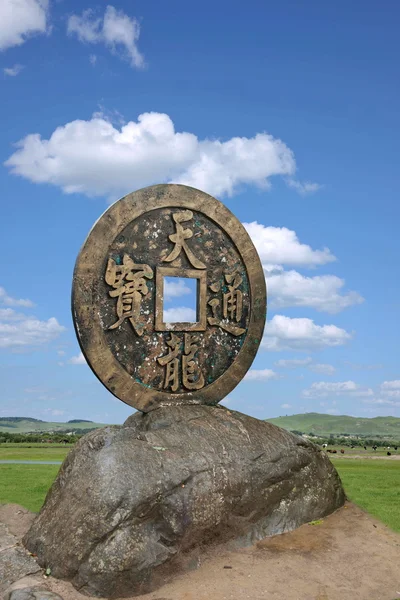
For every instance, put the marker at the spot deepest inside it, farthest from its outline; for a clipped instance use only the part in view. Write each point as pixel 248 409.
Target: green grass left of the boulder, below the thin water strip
pixel 26 485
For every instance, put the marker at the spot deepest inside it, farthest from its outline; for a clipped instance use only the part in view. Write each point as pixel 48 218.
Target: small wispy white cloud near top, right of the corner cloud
pixel 115 29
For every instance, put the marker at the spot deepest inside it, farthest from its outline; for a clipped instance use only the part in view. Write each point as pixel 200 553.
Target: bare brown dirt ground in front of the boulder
pixel 347 556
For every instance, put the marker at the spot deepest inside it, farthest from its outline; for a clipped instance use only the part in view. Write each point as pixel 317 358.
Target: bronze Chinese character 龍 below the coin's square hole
pixel 192 377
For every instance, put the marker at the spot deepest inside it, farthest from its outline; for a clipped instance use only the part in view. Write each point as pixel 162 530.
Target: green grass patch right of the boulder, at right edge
pixel 374 485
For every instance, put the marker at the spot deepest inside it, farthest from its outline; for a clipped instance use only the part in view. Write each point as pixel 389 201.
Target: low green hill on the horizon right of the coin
pixel 324 425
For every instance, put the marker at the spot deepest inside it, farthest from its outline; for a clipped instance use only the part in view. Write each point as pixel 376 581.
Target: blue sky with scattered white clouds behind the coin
pixel 286 112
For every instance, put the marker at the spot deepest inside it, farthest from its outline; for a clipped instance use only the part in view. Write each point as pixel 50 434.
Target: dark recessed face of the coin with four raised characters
pixel 181 353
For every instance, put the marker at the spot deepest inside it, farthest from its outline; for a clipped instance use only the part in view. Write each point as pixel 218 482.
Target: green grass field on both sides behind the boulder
pixel 372 484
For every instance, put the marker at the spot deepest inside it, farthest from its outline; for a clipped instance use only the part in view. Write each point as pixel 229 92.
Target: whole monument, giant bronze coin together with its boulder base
pixel 136 504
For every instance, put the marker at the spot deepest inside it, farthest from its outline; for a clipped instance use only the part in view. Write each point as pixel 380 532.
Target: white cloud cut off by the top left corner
pixel 20 19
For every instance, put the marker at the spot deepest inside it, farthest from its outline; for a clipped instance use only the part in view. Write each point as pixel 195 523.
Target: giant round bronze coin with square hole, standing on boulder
pixel 155 233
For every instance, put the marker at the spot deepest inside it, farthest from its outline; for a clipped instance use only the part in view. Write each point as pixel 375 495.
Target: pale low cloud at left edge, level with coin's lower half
pixel 23 331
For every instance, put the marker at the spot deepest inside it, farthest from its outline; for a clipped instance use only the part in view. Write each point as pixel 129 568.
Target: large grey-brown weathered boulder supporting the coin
pixel 134 504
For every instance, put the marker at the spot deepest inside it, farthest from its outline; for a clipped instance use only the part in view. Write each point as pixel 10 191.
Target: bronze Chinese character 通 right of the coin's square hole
pixel 232 306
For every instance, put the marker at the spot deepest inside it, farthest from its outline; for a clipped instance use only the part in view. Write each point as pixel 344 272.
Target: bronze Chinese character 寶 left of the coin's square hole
pixel 129 283
